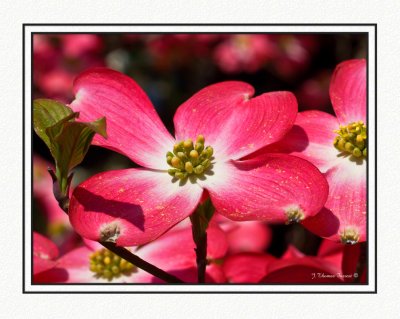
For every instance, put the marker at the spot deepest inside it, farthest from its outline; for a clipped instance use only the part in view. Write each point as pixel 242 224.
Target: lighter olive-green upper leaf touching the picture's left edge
pixel 47 113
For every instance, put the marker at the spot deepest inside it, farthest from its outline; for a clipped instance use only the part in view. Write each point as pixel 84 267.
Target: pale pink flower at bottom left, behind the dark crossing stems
pixel 173 252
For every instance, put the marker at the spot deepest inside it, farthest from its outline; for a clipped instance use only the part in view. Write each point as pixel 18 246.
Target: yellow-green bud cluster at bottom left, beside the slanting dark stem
pixel 105 264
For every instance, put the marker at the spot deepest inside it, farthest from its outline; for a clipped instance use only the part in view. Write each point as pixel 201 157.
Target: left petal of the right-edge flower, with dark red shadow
pixel 310 138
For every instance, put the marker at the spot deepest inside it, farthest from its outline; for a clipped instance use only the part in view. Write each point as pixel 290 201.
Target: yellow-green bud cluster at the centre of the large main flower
pixel 189 158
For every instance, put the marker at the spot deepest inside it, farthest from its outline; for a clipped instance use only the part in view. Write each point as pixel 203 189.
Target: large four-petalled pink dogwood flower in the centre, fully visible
pixel 214 130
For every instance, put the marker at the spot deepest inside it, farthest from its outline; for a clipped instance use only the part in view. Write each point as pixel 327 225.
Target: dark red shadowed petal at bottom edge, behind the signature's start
pixel 302 271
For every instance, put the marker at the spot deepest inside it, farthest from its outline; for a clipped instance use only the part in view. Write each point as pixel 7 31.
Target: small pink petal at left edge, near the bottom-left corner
pixel 45 252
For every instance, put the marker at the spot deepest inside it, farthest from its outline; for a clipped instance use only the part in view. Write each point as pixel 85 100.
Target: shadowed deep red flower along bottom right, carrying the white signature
pixel 334 263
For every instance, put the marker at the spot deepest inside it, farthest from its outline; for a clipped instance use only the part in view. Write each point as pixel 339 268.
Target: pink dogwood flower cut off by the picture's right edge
pixel 338 147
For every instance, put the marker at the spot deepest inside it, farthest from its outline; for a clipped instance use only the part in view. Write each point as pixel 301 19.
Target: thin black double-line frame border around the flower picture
pixel 24 25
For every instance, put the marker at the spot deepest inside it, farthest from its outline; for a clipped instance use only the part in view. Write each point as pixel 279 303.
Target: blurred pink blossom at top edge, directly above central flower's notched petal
pixel 244 52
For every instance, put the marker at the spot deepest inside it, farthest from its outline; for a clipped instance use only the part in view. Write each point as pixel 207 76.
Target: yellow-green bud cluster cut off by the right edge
pixel 352 139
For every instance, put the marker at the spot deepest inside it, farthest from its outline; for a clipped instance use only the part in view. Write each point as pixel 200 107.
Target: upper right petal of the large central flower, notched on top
pixel 219 110
